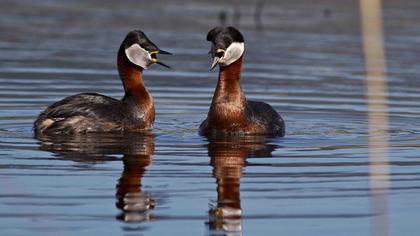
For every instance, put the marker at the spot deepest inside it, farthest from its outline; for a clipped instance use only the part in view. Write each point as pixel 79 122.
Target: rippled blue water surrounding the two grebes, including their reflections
pixel 172 181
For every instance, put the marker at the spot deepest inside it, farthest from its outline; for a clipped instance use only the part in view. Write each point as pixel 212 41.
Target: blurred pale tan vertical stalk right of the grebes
pixel 373 47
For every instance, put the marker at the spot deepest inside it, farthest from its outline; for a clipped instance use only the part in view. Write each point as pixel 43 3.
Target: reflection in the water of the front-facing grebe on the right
pixel 228 159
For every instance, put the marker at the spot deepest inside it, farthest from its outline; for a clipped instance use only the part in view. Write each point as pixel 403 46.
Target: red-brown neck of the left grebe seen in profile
pixel 131 76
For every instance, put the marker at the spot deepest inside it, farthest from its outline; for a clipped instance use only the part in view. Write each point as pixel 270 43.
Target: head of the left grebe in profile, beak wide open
pixel 140 50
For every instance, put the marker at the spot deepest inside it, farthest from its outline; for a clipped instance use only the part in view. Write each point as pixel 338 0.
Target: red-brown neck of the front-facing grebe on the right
pixel 228 88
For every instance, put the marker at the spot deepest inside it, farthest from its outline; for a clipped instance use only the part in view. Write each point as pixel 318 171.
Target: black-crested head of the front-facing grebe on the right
pixel 227 45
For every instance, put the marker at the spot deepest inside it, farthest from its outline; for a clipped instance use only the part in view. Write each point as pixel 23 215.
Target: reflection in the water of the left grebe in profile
pixel 134 204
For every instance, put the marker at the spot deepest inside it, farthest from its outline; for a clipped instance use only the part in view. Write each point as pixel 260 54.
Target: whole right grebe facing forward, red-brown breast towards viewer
pixel 230 112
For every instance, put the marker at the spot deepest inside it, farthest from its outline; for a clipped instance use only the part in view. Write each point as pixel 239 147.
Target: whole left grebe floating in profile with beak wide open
pixel 92 112
